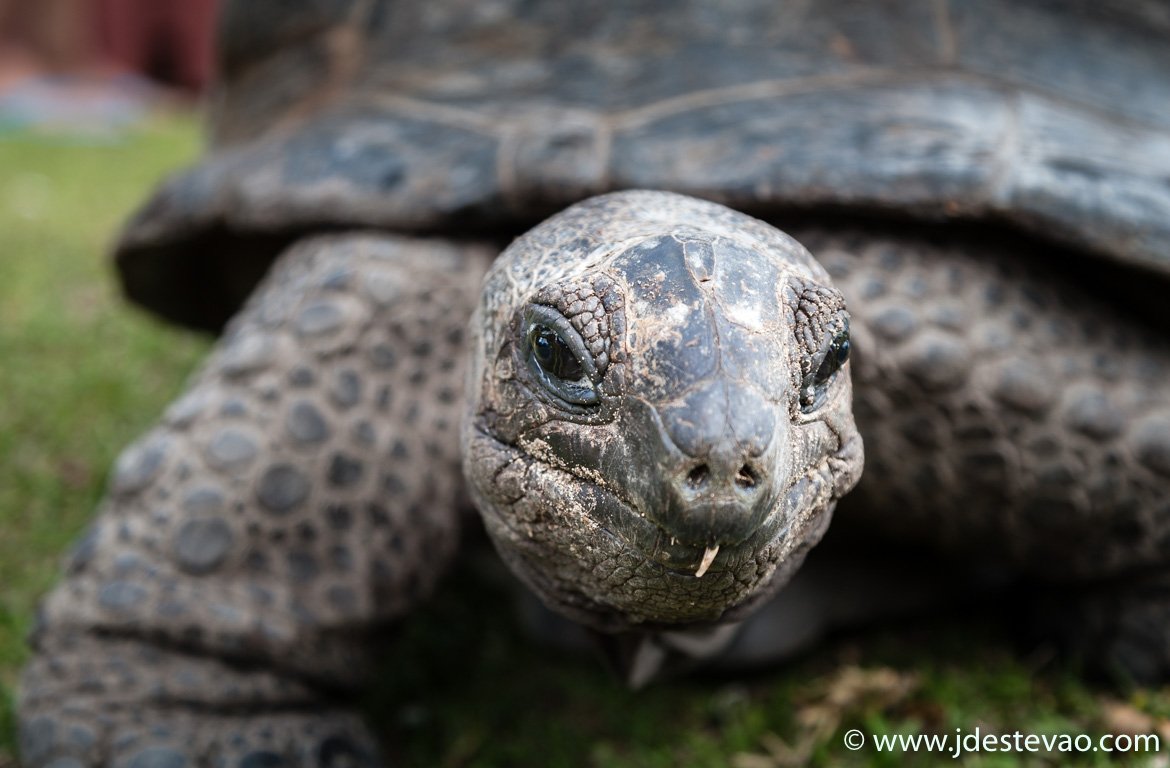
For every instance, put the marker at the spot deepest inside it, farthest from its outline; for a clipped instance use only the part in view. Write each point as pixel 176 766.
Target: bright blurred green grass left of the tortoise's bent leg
pixel 80 373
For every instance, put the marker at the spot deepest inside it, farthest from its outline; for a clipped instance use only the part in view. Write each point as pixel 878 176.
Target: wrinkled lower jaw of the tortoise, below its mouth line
pixel 590 553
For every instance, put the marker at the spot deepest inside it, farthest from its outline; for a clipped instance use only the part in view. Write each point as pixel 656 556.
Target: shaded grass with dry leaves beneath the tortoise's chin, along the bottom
pixel 466 689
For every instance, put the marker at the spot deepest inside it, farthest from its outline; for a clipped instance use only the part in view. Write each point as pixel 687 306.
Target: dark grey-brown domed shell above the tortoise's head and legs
pixel 473 118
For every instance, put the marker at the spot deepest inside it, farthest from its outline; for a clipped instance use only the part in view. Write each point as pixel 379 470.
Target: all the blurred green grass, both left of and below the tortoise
pixel 82 374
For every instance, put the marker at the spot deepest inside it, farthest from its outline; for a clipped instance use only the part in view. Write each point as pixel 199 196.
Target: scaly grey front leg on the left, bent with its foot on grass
pixel 304 492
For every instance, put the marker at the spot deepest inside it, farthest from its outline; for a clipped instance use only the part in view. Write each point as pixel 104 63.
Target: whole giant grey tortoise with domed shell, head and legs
pixel 662 399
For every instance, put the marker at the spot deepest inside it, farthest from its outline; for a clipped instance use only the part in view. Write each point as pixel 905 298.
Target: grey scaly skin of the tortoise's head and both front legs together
pixel 306 491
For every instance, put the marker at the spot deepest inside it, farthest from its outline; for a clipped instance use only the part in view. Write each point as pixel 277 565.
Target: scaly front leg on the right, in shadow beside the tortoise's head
pixel 1014 420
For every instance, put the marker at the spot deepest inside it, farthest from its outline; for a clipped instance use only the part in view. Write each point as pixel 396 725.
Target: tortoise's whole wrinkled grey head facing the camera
pixel 657 429
